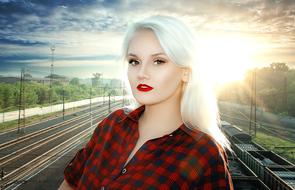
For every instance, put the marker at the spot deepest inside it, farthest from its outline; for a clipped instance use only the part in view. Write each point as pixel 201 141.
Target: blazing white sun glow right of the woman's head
pixel 225 58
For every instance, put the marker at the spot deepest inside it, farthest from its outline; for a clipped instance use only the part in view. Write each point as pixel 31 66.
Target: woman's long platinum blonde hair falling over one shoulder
pixel 198 104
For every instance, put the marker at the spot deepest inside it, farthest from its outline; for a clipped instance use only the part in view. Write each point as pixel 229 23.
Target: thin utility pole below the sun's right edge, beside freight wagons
pixel 253 106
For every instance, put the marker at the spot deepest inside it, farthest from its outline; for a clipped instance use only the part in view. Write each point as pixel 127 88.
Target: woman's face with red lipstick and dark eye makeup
pixel 153 77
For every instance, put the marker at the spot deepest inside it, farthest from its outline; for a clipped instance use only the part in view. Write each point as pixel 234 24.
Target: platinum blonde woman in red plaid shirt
pixel 171 140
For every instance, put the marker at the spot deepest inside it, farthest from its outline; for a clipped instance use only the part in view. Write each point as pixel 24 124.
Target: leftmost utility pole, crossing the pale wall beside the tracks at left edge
pixel 22 104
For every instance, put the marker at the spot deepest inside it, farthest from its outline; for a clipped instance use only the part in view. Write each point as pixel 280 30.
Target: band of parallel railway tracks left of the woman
pixel 24 156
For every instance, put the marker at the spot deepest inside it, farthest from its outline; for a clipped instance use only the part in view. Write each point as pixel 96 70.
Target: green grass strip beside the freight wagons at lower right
pixel 272 143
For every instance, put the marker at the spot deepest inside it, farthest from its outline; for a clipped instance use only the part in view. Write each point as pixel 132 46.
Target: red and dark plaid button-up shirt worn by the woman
pixel 181 160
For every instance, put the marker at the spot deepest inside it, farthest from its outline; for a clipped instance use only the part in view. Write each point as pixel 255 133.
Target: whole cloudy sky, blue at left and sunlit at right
pixel 232 35
